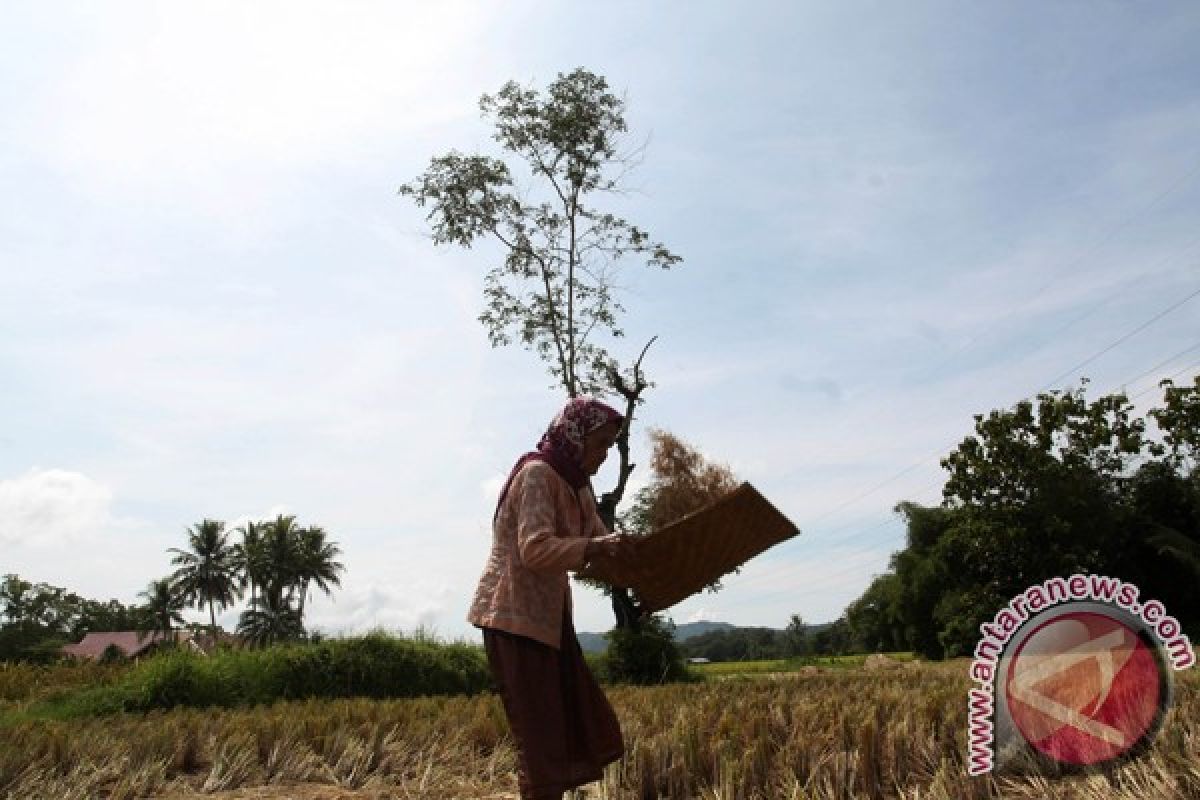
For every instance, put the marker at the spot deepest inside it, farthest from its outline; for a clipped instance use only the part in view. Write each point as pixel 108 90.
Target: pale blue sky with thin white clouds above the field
pixel 892 216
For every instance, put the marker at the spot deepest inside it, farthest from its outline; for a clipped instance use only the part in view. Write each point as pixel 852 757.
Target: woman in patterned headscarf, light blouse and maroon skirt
pixel 547 525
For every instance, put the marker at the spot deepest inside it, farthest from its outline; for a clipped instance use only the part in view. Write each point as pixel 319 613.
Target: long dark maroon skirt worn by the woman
pixel 566 731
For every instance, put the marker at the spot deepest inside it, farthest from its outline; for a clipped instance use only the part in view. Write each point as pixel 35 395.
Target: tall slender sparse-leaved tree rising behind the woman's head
pixel 554 288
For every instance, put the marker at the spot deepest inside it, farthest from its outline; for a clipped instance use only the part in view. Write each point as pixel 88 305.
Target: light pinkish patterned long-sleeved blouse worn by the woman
pixel 539 534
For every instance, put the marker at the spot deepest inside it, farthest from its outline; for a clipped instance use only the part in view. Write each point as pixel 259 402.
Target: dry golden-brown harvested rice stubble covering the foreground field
pixel 841 733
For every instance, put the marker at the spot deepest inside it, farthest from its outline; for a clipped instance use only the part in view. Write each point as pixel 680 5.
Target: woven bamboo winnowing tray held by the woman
pixel 681 560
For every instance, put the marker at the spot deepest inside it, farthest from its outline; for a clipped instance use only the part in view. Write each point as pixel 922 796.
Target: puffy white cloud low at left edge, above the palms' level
pixel 53 508
